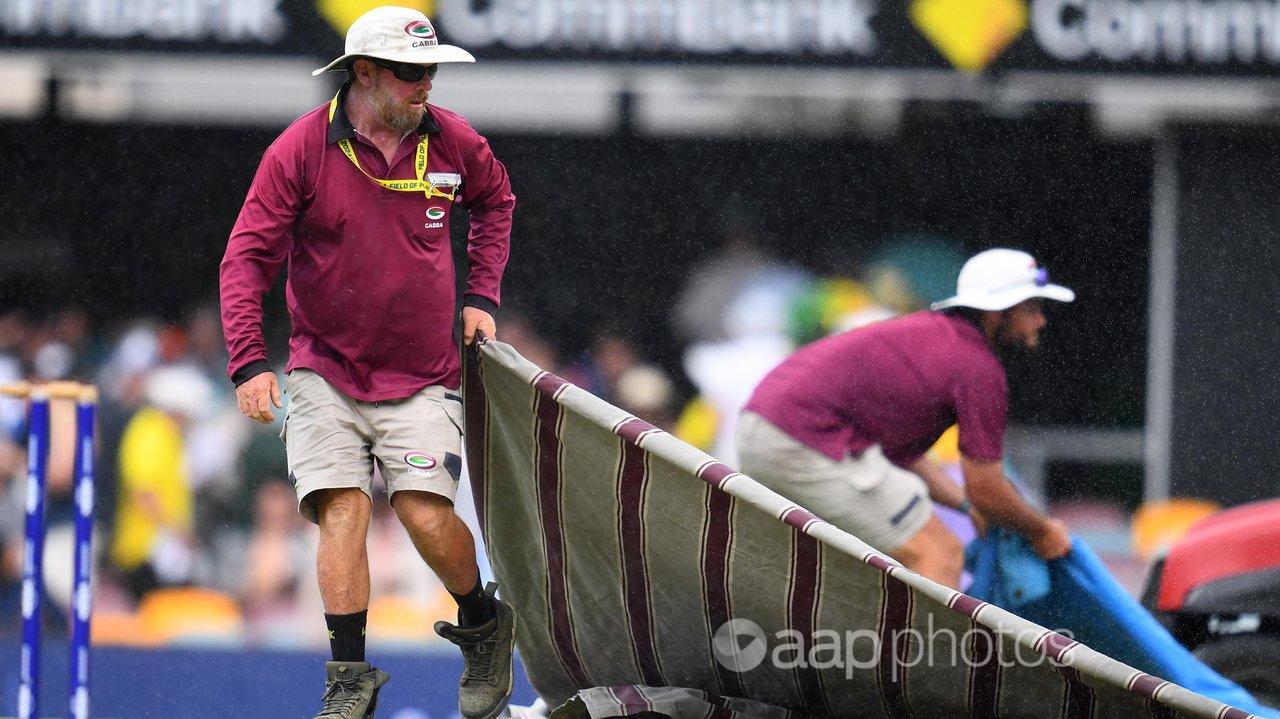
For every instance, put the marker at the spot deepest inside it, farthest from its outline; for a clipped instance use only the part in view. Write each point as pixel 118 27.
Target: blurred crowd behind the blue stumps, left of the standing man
pixel 189 493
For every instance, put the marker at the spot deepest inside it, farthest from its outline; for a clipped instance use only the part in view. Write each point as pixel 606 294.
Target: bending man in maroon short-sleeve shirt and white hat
pixel 843 425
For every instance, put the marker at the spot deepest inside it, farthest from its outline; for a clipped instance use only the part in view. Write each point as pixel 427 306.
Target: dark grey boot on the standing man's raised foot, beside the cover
pixel 487 680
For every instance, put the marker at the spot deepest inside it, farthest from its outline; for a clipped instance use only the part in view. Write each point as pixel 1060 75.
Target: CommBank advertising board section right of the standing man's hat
pixel 1238 36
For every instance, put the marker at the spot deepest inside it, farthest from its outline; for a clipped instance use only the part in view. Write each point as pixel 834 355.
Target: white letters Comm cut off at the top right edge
pixel 1160 31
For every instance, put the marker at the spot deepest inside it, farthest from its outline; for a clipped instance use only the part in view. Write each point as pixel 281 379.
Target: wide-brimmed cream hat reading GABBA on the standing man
pixel 400 35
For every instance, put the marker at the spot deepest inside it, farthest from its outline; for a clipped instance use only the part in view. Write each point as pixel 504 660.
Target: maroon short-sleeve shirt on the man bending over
pixel 899 383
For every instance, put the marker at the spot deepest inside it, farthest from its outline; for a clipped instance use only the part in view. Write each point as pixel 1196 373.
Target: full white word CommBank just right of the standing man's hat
pixel 788 28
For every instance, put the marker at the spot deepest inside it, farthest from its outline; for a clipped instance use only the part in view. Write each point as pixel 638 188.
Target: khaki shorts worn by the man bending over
pixel 866 496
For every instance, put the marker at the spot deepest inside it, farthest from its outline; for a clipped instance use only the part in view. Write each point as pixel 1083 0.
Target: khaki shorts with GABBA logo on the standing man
pixel 333 442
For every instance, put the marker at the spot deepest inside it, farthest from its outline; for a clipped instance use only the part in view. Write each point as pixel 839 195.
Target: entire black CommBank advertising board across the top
pixel 1229 38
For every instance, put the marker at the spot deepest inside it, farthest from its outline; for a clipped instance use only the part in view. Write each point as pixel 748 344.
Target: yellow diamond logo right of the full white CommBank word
pixel 971 34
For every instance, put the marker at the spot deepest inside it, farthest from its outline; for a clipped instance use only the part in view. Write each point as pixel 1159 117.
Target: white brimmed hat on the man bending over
pixel 998 280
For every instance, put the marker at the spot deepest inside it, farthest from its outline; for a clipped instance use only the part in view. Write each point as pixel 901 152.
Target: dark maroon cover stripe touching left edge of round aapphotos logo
pixel 715 560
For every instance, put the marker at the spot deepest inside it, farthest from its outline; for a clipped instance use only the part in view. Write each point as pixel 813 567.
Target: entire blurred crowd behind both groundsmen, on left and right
pixel 194 510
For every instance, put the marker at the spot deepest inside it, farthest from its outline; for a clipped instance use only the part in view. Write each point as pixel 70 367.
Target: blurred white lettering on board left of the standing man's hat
pixel 226 21
